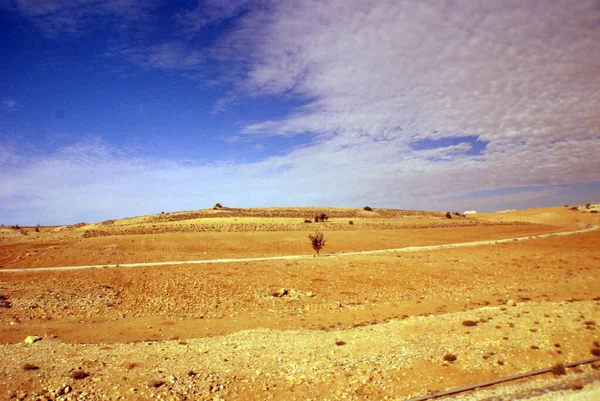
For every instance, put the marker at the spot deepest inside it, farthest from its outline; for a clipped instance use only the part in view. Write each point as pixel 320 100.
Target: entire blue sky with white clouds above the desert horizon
pixel 120 108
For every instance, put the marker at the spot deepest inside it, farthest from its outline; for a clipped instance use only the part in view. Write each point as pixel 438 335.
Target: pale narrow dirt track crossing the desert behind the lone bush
pixel 295 257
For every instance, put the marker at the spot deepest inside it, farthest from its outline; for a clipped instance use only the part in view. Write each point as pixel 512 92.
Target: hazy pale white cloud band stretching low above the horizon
pixel 91 181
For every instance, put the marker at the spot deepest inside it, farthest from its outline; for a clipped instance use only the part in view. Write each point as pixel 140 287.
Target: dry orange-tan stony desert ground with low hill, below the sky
pixel 226 303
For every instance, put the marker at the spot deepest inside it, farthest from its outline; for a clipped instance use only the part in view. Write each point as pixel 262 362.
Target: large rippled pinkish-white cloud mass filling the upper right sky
pixel 400 71
